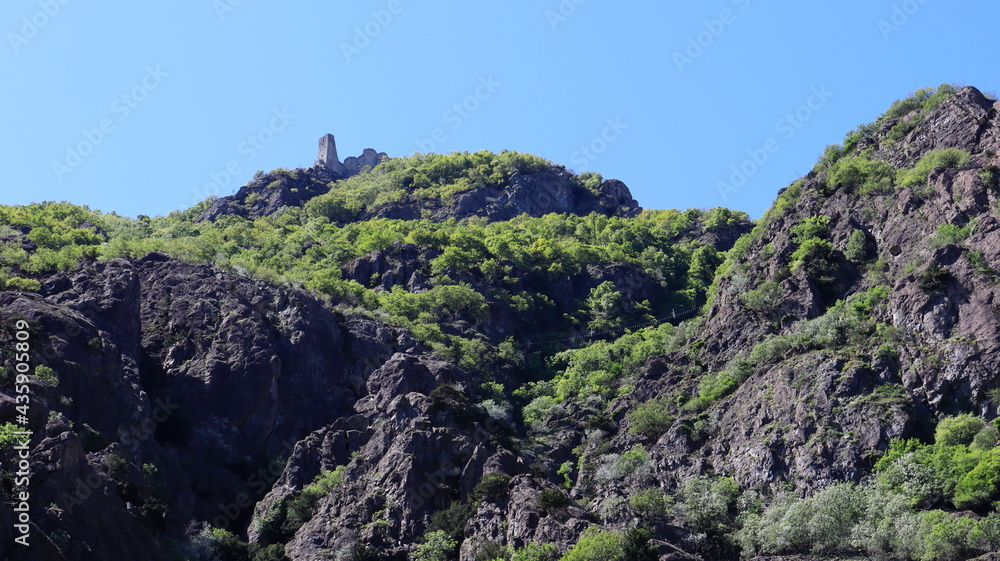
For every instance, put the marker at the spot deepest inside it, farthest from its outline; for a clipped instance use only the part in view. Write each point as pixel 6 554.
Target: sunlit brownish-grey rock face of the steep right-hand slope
pixel 822 418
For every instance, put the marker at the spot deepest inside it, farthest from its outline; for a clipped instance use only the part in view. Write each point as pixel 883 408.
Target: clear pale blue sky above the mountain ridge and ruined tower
pixel 147 107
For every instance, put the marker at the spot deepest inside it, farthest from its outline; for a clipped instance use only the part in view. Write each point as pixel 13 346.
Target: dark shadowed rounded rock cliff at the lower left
pixel 185 368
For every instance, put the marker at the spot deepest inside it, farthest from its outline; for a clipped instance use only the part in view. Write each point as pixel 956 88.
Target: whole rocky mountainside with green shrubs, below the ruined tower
pixel 486 356
